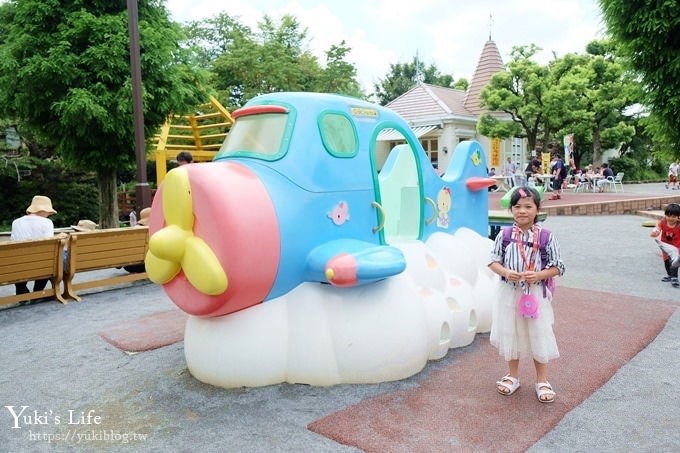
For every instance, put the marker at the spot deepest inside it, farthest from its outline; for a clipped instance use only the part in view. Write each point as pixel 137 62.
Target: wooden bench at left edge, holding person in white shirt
pixel 36 259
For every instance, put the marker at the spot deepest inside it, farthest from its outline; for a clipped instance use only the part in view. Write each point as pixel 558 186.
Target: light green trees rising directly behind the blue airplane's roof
pixel 244 63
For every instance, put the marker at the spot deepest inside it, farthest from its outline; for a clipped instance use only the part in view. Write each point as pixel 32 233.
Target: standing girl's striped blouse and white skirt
pixel 513 335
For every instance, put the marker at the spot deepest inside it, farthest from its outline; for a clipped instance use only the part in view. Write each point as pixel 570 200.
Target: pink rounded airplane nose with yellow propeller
pixel 216 248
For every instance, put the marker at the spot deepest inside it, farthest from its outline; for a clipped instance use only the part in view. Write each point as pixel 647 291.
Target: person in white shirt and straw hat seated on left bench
pixel 34 225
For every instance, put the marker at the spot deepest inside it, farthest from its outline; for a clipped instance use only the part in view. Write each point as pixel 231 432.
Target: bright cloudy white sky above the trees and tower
pixel 447 33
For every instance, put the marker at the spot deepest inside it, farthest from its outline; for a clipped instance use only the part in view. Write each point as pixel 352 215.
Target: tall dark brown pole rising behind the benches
pixel 142 192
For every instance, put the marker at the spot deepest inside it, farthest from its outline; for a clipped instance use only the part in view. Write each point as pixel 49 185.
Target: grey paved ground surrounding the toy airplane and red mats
pixel 55 363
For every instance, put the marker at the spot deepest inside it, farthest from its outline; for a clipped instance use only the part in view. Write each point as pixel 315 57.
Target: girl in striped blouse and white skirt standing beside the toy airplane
pixel 525 277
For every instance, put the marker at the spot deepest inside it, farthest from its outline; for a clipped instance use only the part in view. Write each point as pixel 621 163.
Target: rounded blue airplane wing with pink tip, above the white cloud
pixel 350 262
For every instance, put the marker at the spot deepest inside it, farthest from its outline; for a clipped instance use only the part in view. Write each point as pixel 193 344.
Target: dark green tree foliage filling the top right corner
pixel 649 35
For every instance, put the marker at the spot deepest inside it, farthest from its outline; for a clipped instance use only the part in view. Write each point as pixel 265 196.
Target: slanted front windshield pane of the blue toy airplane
pixel 260 135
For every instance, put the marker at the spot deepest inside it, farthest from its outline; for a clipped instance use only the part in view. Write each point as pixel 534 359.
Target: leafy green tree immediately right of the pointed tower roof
pixel 519 93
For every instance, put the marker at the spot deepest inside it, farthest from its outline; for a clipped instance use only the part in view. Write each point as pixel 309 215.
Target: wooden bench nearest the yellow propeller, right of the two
pixel 104 249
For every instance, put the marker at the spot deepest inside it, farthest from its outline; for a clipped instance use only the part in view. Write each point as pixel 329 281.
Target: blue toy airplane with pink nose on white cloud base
pixel 300 259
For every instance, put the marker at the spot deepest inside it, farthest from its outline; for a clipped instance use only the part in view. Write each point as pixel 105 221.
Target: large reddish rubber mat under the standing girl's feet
pixel 457 407
